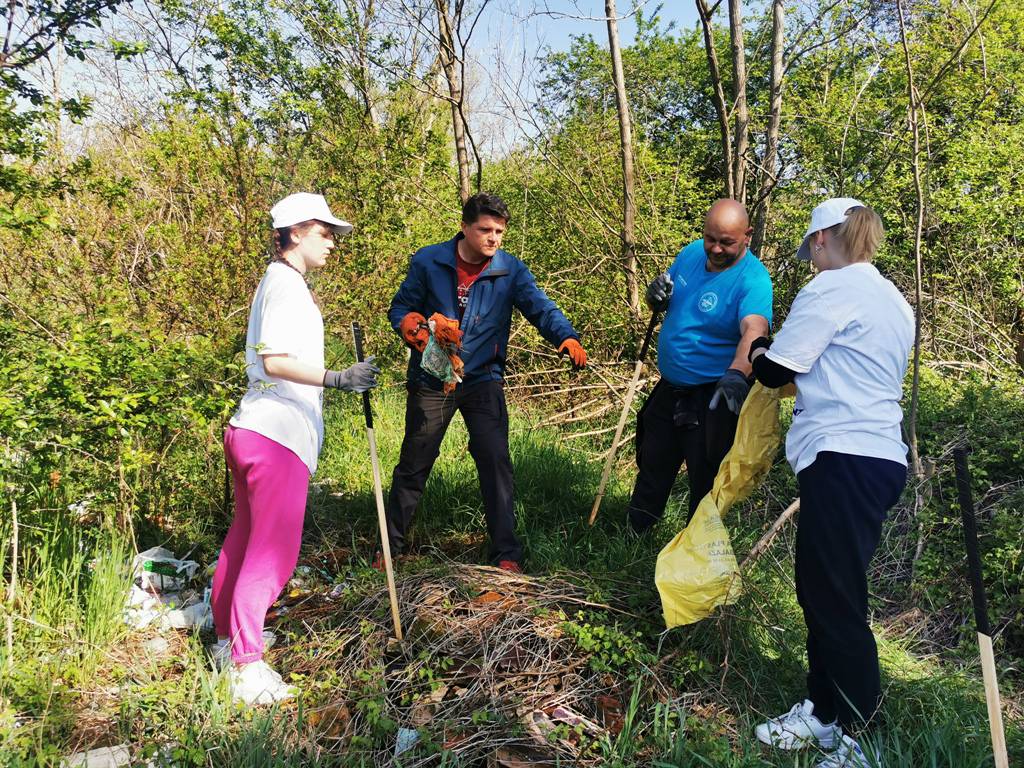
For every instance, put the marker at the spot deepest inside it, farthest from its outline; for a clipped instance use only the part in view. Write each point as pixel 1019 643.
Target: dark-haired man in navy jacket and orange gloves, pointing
pixel 472 280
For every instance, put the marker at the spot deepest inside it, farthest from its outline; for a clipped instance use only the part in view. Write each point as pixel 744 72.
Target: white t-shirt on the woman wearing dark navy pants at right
pixel 848 337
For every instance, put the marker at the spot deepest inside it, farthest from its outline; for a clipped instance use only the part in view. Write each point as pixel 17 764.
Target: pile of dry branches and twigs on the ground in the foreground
pixel 487 671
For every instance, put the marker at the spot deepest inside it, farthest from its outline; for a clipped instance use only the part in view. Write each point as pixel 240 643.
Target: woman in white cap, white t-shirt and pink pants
pixel 274 440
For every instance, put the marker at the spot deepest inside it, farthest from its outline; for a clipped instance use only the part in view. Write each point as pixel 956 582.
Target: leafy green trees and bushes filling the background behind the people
pixel 127 261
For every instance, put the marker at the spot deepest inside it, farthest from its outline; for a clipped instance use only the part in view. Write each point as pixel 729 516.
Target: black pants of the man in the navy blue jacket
pixel 429 414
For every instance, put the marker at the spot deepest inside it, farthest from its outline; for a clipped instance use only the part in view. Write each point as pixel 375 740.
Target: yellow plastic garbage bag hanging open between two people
pixel 697 572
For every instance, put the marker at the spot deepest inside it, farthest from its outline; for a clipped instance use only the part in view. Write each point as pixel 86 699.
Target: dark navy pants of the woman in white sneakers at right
pixel 843 502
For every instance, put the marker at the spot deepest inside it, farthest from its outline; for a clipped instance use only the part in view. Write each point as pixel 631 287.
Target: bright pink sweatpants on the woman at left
pixel 263 545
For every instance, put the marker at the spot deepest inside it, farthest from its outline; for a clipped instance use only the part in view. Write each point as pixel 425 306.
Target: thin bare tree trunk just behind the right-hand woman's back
pixel 914 108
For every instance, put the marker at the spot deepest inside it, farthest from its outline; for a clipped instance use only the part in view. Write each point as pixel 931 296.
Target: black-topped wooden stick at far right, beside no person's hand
pixel 980 610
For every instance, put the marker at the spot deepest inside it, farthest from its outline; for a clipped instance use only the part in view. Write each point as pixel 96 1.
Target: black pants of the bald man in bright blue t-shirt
pixel 675 425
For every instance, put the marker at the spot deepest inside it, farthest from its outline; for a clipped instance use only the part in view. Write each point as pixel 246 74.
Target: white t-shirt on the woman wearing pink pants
pixel 284 320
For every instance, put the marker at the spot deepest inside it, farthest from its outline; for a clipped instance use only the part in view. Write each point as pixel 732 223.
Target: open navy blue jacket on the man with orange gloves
pixel 505 283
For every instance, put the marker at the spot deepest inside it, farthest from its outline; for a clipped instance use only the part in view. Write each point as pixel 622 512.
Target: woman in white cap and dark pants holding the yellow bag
pixel 845 344
